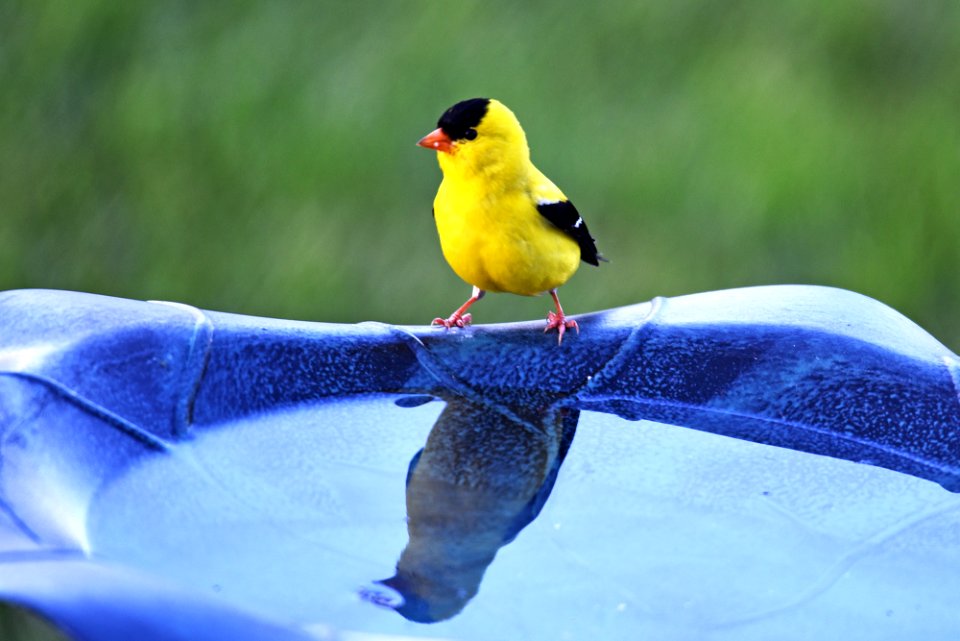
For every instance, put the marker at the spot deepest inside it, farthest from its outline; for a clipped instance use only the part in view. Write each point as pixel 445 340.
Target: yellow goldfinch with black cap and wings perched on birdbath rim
pixel 503 225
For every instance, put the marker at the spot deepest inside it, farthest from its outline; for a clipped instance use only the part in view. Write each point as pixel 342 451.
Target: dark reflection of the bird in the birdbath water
pixel 483 475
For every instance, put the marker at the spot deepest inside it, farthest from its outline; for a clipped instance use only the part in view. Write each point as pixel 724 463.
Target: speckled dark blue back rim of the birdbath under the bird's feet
pixel 817 369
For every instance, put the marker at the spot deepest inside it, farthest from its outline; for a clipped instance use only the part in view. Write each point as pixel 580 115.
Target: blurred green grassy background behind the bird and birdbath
pixel 259 157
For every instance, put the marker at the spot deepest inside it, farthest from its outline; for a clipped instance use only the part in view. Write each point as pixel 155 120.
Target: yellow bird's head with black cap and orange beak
pixel 476 133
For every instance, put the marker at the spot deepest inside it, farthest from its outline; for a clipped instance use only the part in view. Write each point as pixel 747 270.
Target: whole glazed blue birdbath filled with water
pixel 754 464
